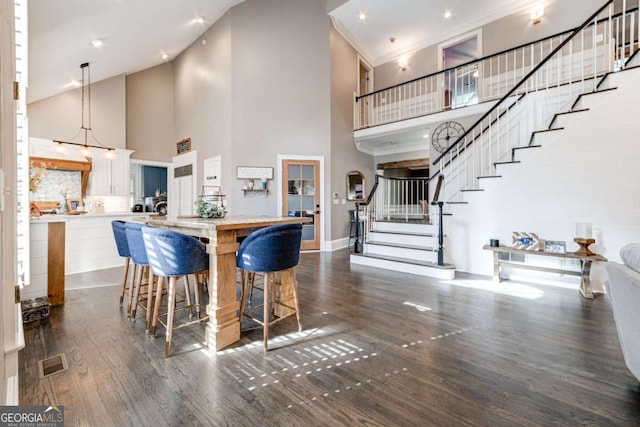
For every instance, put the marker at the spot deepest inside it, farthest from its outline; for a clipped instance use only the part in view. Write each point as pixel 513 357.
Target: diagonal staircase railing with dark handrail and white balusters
pixel 573 67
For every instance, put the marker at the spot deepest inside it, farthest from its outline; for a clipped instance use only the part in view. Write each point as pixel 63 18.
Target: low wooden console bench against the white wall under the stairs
pixel 584 273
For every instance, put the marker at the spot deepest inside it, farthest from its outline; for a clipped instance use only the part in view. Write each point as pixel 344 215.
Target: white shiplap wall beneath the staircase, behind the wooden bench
pixel 586 173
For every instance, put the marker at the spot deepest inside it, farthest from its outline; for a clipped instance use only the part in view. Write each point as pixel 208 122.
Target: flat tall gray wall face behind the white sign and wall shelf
pixel 281 89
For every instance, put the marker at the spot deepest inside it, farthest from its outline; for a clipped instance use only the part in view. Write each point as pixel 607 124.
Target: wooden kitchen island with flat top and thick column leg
pixel 222 234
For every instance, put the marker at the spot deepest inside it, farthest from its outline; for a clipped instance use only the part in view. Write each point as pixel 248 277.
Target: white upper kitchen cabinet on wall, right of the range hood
pixel 110 177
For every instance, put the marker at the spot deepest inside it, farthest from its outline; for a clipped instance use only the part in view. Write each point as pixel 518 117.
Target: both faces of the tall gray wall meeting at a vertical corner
pixel 258 88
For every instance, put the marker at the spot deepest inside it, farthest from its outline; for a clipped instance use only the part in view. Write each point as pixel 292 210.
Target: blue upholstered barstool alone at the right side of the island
pixel 270 250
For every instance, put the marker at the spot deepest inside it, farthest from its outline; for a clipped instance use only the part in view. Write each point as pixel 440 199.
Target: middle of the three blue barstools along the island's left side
pixel 141 263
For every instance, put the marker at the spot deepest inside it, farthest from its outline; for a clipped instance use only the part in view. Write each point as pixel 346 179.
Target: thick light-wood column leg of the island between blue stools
pixel 223 328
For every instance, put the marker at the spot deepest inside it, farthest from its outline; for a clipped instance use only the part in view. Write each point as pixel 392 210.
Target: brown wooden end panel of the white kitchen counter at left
pixel 55 263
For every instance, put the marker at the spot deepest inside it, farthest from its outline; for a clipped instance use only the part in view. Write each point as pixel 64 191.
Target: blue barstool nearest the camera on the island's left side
pixel 172 255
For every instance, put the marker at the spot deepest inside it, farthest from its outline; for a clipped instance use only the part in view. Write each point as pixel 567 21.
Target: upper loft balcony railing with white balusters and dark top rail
pixel 597 50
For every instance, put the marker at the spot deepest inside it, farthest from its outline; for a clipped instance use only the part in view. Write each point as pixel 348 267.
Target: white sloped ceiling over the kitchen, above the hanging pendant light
pixel 135 33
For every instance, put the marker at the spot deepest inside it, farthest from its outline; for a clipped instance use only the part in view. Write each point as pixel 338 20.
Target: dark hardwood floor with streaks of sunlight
pixel 378 348
